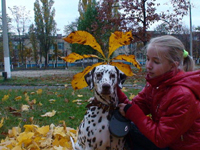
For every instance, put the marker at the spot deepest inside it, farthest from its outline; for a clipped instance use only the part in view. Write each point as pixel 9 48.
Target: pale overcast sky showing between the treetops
pixel 67 11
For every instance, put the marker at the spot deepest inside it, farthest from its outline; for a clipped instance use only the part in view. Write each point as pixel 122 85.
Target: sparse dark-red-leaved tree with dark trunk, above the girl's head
pixel 139 15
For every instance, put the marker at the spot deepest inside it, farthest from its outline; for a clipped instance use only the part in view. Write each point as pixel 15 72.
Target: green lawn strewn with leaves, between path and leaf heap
pixel 67 110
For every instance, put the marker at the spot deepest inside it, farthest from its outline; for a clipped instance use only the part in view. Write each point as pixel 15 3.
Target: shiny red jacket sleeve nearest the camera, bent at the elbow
pixel 178 118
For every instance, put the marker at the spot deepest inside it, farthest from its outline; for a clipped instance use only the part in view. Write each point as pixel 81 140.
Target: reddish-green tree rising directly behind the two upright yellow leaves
pixel 108 21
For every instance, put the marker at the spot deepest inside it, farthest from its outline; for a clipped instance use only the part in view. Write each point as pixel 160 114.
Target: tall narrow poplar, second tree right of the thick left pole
pixel 45 25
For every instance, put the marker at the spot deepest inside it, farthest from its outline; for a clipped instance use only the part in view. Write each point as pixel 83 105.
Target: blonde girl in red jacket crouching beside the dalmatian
pixel 171 96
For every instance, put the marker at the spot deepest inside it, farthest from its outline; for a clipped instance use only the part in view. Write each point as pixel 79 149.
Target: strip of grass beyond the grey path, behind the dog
pixel 48 80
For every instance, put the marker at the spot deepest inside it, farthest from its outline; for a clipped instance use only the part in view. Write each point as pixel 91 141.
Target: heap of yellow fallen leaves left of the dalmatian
pixel 35 138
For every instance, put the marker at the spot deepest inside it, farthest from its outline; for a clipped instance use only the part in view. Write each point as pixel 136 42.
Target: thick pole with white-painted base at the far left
pixel 7 73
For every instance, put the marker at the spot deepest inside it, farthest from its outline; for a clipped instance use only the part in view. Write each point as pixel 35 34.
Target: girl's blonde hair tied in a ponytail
pixel 174 49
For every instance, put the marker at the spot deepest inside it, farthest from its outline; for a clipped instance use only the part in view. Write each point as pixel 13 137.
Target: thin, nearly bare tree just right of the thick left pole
pixel 21 18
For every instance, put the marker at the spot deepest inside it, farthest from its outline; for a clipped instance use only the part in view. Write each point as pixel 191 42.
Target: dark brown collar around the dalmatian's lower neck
pixel 105 107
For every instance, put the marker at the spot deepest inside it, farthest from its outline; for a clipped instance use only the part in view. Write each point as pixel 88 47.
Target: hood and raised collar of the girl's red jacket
pixel 190 80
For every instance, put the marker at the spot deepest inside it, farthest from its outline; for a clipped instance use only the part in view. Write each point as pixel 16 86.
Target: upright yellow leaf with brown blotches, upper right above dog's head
pixel 118 39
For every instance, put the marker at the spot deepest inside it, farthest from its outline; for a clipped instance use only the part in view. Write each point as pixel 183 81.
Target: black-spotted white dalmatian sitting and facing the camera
pixel 94 132
